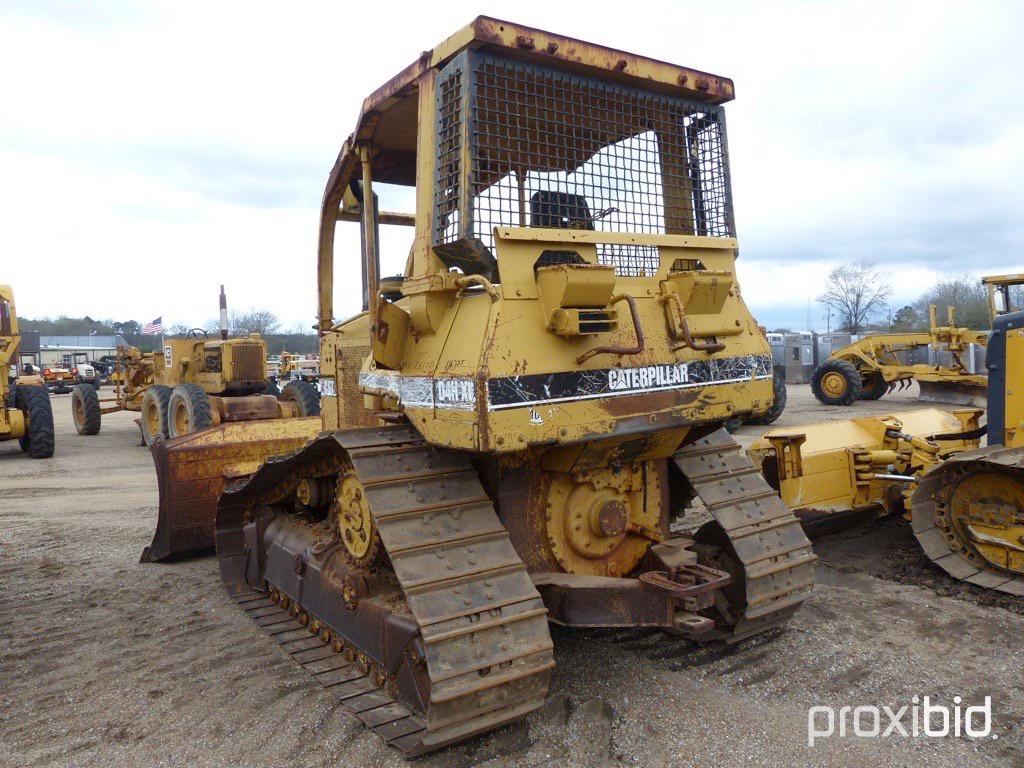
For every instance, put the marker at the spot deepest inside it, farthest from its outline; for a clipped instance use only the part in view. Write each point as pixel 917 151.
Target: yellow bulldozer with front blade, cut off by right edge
pixel 966 503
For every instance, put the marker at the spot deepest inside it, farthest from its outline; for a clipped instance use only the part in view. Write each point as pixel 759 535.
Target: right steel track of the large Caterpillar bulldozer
pixel 767 539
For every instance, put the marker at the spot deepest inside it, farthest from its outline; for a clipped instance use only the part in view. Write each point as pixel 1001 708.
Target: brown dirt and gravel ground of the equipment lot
pixel 105 662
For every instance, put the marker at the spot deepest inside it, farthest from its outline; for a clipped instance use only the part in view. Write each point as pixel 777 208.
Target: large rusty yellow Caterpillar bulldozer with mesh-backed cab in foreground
pixel 513 428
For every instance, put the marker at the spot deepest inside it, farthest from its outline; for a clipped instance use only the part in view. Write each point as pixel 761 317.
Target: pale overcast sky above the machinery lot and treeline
pixel 150 152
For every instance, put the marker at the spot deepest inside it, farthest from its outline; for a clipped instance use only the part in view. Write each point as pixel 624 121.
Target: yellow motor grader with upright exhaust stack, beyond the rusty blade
pixel 197 383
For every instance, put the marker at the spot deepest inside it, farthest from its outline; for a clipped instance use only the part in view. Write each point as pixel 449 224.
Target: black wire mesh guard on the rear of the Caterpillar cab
pixel 552 149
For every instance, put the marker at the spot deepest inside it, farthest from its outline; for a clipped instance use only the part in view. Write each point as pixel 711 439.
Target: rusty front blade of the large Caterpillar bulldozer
pixel 192 473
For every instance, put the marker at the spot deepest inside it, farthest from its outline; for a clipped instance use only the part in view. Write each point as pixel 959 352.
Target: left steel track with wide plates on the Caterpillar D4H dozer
pixel 484 626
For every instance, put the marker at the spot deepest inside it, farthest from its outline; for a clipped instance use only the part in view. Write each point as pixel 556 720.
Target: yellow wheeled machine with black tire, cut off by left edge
pixel 26 415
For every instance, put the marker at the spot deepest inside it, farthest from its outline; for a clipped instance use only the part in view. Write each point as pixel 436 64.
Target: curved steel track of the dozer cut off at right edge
pixel 941 542
